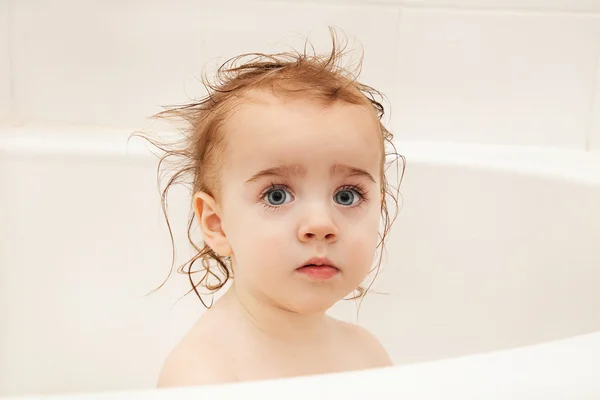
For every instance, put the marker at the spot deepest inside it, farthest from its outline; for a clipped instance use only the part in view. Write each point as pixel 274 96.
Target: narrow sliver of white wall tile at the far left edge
pixel 5 100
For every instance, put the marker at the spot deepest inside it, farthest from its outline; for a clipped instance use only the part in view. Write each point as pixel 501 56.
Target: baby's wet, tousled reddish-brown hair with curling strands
pixel 197 153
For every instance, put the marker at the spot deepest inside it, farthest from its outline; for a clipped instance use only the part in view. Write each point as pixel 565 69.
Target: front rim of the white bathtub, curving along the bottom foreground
pixel 551 370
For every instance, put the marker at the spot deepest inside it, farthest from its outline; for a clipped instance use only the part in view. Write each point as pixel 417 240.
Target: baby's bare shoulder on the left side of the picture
pixel 199 358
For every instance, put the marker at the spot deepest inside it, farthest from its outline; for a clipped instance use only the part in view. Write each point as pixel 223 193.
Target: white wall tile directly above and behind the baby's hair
pixel 275 25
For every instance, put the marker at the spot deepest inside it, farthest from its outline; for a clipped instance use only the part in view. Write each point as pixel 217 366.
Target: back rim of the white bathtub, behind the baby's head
pixel 569 164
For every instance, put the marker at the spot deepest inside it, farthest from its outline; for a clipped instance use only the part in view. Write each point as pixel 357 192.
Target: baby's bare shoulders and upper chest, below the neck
pixel 229 345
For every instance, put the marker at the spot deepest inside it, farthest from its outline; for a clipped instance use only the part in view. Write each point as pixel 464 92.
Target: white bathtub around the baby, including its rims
pixel 495 248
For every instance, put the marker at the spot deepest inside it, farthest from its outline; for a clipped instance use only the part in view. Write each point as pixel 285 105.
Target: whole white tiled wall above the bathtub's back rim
pixel 517 72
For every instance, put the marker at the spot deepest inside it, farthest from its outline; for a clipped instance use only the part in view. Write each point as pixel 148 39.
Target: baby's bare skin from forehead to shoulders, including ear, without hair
pixel 299 181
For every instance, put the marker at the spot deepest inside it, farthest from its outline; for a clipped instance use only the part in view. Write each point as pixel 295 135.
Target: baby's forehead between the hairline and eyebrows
pixel 270 131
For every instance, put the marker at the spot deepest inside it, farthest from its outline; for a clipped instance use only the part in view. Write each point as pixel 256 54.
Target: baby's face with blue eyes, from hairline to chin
pixel 300 181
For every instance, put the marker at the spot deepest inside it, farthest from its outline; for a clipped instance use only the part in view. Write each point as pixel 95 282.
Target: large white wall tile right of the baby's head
pixel 499 78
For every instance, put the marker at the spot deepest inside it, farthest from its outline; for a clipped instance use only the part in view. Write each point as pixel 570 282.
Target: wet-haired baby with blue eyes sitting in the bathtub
pixel 287 159
